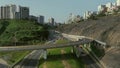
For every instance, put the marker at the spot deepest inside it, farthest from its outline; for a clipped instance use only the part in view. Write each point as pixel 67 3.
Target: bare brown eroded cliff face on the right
pixel 106 29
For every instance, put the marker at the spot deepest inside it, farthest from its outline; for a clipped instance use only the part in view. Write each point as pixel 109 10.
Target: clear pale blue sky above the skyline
pixel 58 9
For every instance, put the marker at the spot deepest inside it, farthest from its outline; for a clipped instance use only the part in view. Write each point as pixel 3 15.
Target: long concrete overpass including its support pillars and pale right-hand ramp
pixel 78 41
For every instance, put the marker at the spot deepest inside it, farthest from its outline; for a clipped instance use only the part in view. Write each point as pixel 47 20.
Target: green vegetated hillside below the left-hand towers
pixel 21 32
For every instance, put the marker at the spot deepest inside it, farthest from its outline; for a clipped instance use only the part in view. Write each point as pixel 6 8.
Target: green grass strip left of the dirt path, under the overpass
pixel 53 59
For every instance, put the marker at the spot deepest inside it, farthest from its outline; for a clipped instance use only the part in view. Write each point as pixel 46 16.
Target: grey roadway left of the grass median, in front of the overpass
pixel 31 61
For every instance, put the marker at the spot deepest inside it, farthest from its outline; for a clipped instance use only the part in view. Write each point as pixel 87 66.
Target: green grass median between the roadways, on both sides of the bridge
pixel 55 58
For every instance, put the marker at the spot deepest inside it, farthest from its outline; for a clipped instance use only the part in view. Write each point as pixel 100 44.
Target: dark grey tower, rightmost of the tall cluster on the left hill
pixel 24 12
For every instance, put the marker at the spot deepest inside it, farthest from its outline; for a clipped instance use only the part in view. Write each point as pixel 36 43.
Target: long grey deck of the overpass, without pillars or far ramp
pixel 45 46
